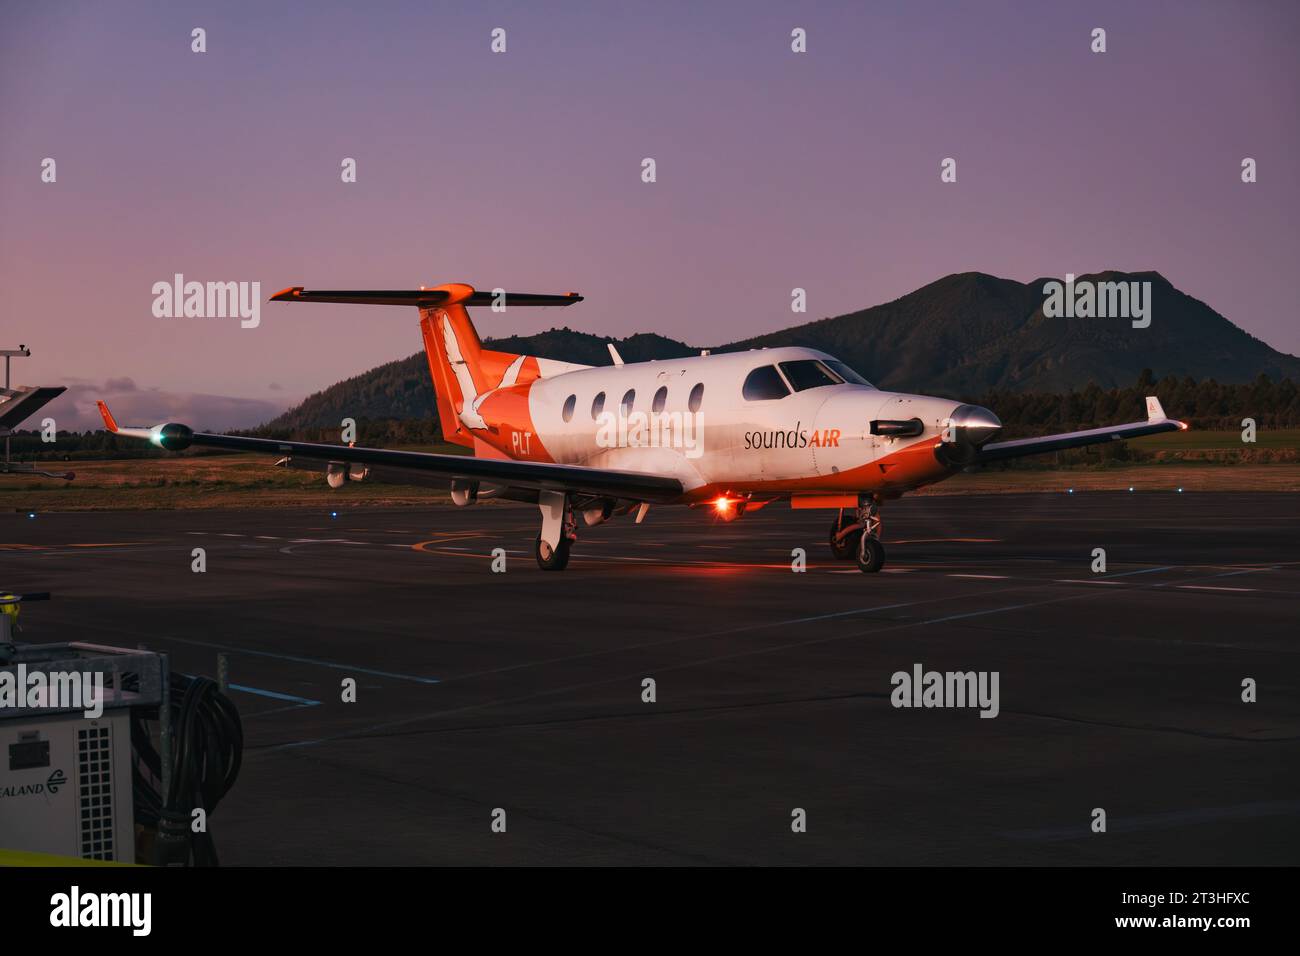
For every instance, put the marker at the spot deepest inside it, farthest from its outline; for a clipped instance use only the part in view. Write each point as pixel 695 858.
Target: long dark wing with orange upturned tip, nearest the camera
pixel 422 468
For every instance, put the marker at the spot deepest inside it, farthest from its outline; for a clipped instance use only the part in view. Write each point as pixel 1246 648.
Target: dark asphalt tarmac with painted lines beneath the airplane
pixel 522 697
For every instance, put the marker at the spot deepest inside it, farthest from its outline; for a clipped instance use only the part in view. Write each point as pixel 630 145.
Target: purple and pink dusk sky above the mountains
pixel 525 171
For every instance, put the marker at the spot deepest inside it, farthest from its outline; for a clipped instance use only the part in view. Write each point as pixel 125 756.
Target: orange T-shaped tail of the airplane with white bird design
pixel 462 370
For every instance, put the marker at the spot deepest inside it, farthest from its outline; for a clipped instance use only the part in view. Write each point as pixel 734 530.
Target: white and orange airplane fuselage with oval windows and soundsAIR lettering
pixel 695 419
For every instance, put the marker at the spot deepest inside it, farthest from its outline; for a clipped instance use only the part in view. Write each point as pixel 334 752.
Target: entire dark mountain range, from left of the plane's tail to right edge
pixel 961 336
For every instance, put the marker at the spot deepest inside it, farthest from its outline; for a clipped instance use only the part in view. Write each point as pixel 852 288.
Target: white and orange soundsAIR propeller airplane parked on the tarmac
pixel 731 432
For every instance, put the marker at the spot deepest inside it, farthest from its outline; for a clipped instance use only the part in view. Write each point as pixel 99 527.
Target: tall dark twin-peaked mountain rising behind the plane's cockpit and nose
pixel 969 334
